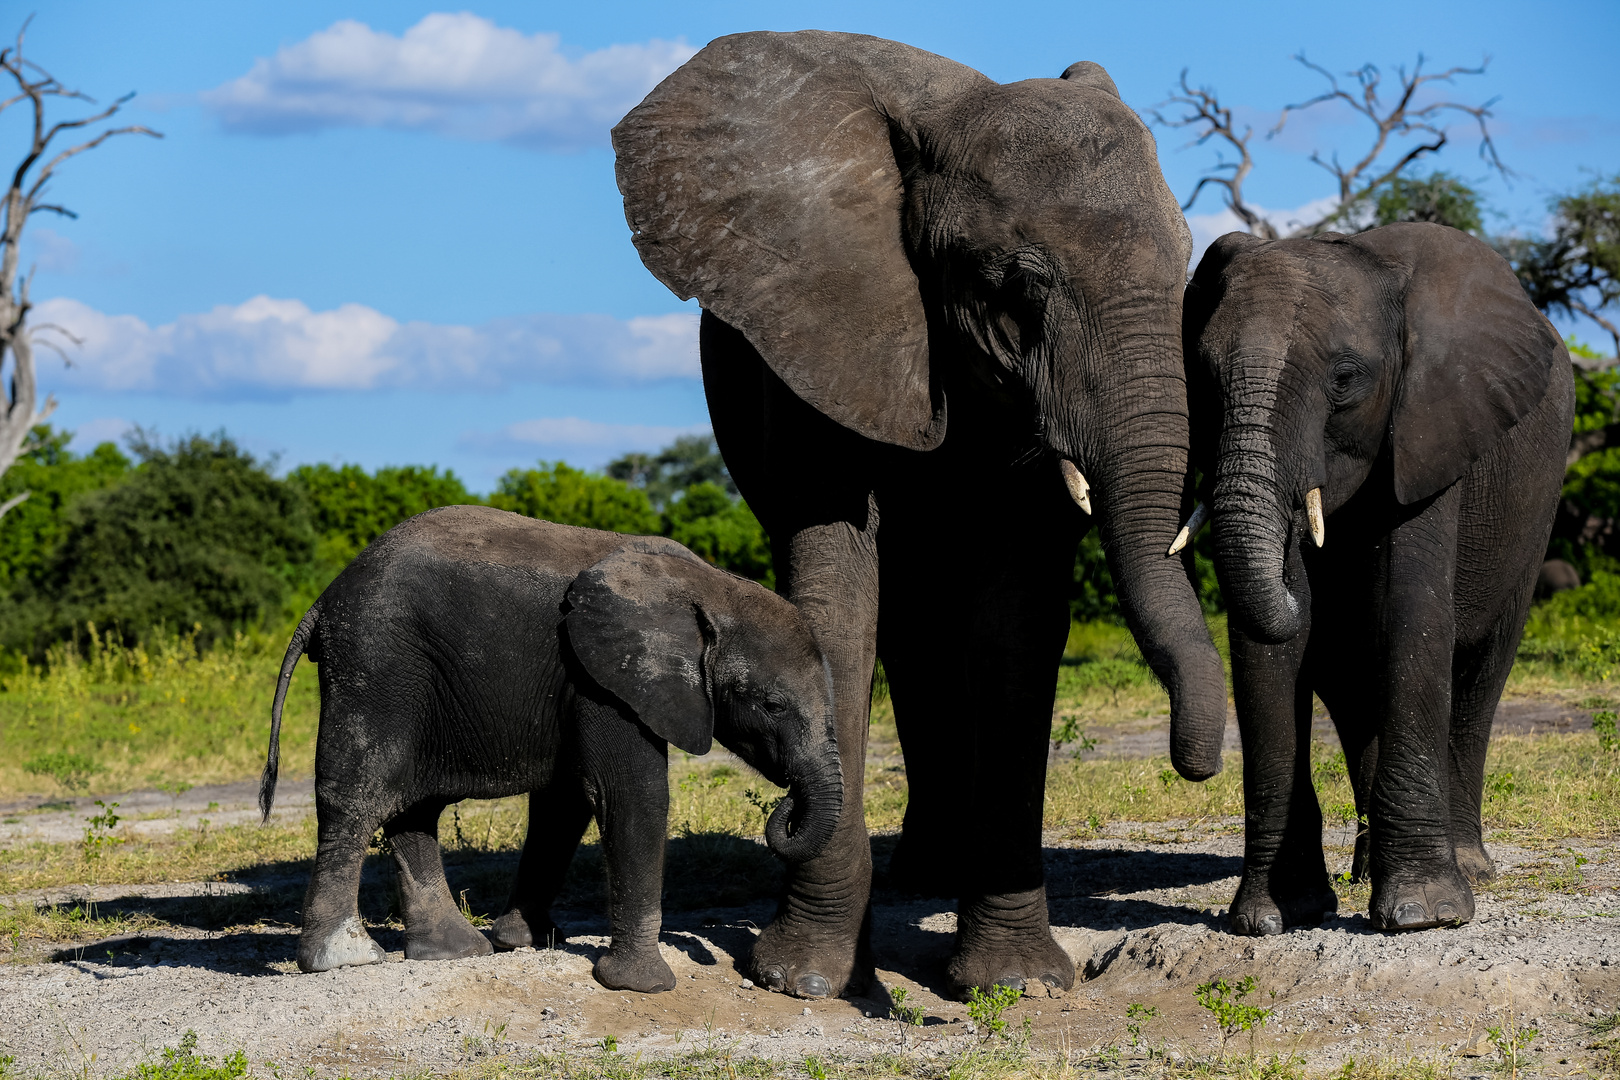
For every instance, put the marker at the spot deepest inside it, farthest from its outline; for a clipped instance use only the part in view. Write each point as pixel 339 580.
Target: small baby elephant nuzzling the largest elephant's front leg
pixel 472 653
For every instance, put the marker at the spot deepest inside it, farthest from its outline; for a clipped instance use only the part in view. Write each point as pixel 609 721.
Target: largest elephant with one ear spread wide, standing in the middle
pixel 876 234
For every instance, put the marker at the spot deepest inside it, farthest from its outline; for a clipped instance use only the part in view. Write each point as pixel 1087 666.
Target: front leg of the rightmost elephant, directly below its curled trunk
pixel 1285 880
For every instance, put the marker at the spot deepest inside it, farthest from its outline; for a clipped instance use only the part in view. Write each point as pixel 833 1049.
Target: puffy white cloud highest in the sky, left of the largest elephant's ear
pixel 458 75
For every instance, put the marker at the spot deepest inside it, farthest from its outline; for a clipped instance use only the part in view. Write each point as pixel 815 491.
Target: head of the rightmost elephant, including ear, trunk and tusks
pixel 1410 347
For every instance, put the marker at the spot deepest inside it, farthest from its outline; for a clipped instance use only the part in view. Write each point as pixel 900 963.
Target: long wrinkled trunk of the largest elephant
pixel 1140 495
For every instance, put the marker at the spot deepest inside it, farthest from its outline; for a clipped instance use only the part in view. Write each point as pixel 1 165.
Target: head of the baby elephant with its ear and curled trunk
pixel 699 653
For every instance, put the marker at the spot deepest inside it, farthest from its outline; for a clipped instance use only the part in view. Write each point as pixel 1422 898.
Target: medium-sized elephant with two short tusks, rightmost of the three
pixel 1405 375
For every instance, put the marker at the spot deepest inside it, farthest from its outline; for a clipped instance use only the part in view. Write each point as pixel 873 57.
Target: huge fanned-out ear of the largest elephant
pixel 762 179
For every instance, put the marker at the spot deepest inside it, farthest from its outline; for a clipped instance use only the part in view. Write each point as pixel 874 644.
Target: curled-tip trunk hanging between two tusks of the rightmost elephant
pixel 1253 512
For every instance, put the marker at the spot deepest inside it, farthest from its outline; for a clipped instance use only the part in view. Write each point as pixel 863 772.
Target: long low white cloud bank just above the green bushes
pixel 281 346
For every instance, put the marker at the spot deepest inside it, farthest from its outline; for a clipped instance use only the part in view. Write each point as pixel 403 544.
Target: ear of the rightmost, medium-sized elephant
pixel 1478 355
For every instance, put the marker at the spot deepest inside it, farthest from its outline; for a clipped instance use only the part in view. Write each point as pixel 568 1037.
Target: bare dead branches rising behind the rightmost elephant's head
pixel 1410 116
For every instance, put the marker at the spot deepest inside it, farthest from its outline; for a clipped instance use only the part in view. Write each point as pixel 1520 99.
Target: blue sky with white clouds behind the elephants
pixel 390 232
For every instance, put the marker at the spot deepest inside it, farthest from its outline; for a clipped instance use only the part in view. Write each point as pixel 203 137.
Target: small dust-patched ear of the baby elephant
pixel 636 626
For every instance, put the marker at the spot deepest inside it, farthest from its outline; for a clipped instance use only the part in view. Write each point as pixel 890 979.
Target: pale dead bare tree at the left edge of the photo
pixel 23 200
